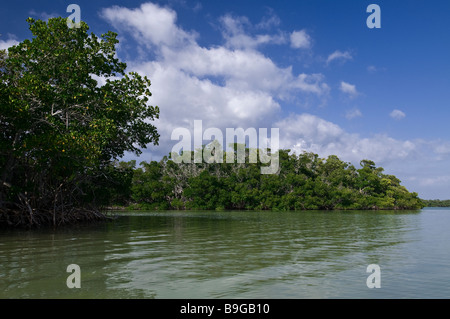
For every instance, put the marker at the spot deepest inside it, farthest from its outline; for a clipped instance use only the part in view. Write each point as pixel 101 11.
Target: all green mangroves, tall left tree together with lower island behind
pixel 68 113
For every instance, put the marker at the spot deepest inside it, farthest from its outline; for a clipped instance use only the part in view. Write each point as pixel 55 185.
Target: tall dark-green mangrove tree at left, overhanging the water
pixel 68 109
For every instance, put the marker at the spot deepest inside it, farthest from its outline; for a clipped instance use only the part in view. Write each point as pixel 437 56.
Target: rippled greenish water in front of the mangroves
pixel 174 255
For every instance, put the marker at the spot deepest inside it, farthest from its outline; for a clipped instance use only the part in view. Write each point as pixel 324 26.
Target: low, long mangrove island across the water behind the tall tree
pixel 304 182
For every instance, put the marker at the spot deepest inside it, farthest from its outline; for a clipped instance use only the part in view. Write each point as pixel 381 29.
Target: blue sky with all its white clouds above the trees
pixel 312 68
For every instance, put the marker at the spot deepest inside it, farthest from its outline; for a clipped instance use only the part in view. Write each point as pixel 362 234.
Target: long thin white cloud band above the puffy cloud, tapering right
pixel 244 70
